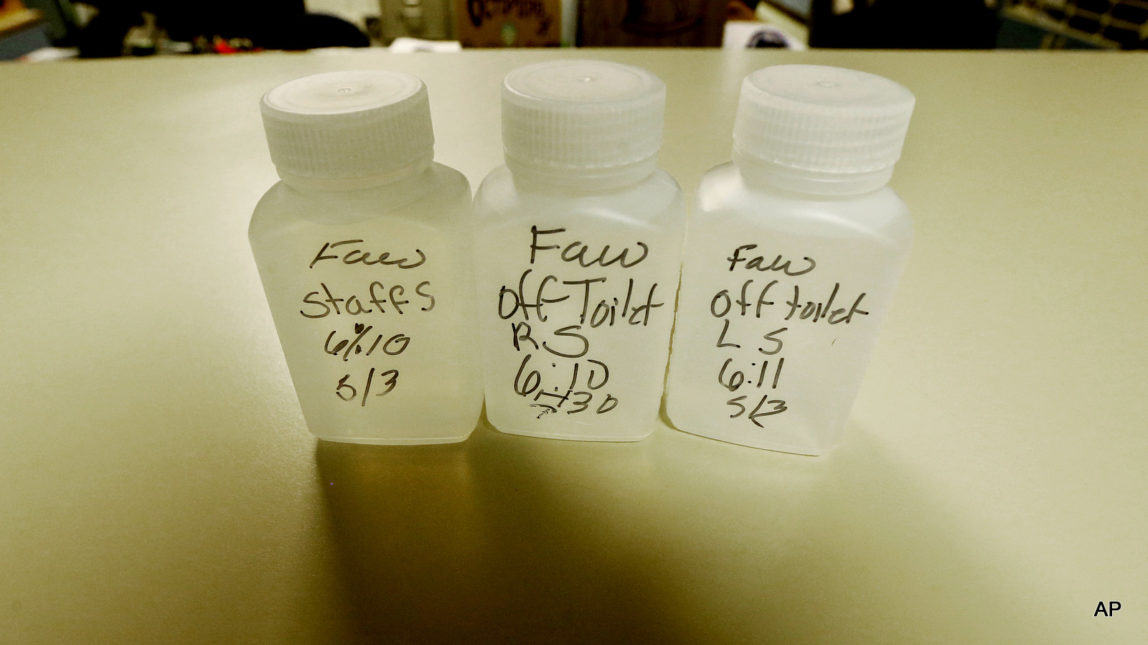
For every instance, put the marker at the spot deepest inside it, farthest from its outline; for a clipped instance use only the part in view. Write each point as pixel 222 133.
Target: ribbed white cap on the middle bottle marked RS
pixel 570 115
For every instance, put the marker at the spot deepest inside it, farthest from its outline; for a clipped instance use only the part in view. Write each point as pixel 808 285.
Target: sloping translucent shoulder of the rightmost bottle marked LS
pixel 726 200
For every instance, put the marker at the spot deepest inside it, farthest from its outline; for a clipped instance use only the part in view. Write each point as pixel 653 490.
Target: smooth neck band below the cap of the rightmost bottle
pixel 759 173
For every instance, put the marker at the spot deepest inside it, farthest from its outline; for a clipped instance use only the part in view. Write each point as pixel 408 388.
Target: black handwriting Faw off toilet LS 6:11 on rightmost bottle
pixel 774 298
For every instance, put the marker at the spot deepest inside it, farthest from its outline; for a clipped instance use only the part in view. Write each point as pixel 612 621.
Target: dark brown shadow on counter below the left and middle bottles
pixel 471 543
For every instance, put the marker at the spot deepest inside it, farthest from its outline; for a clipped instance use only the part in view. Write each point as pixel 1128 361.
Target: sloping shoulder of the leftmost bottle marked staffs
pixel 435 197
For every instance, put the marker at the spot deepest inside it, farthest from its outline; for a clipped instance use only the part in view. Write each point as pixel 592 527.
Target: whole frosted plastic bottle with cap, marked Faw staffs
pixel 364 253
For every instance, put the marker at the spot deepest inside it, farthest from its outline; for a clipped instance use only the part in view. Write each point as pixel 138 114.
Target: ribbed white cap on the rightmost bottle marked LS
pixel 823 120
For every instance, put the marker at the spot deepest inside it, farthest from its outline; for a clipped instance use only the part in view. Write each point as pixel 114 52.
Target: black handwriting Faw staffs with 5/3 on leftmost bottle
pixel 362 320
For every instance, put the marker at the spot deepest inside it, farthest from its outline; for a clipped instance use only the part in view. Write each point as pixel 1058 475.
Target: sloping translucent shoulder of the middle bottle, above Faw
pixel 503 197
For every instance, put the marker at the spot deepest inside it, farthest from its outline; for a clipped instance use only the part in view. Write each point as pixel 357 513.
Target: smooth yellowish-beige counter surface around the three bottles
pixel 158 484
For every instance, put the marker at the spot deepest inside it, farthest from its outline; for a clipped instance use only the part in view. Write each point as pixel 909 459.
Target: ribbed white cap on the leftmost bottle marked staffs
pixel 347 125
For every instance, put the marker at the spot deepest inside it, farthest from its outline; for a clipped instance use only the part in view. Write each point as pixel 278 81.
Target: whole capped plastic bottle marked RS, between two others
pixel 578 253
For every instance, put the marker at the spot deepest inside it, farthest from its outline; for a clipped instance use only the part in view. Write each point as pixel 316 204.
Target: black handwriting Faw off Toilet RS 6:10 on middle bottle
pixel 560 313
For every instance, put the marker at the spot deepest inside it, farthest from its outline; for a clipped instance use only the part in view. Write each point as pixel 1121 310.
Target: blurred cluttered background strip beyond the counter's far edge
pixel 43 30
